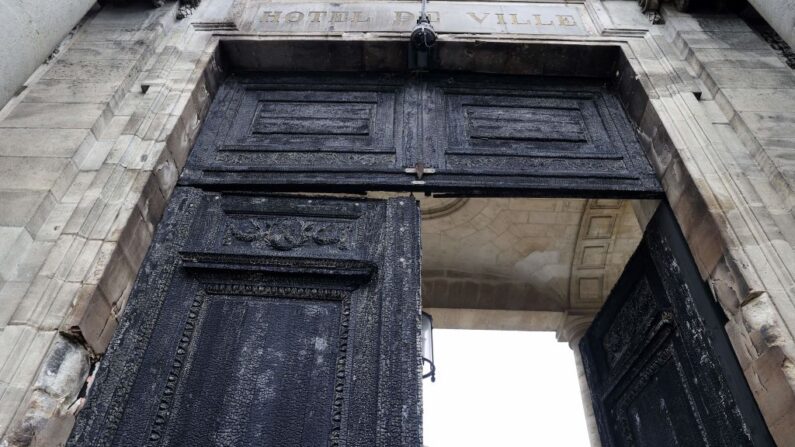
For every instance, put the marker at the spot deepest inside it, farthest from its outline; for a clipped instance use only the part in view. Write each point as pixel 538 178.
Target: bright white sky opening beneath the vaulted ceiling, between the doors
pixel 502 389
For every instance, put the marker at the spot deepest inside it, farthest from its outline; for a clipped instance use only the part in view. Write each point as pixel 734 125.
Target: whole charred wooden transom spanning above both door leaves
pixel 473 134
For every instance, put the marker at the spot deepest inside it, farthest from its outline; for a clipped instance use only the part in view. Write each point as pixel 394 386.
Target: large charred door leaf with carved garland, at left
pixel 267 321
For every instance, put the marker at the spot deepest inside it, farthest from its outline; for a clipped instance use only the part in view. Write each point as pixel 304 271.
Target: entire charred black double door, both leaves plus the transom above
pixel 293 320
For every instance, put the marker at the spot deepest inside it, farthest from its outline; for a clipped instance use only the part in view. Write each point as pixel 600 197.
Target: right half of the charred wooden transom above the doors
pixel 511 134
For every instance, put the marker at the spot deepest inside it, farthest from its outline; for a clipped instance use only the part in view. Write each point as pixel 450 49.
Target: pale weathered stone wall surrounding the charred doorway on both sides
pixel 90 152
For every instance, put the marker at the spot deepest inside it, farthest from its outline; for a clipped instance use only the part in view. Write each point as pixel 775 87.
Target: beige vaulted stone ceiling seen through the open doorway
pixel 524 253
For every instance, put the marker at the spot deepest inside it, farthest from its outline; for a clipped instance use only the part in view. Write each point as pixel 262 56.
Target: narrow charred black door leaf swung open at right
pixel 658 361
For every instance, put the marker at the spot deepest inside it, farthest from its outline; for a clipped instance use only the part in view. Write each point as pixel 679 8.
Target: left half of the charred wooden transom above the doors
pixel 272 130
